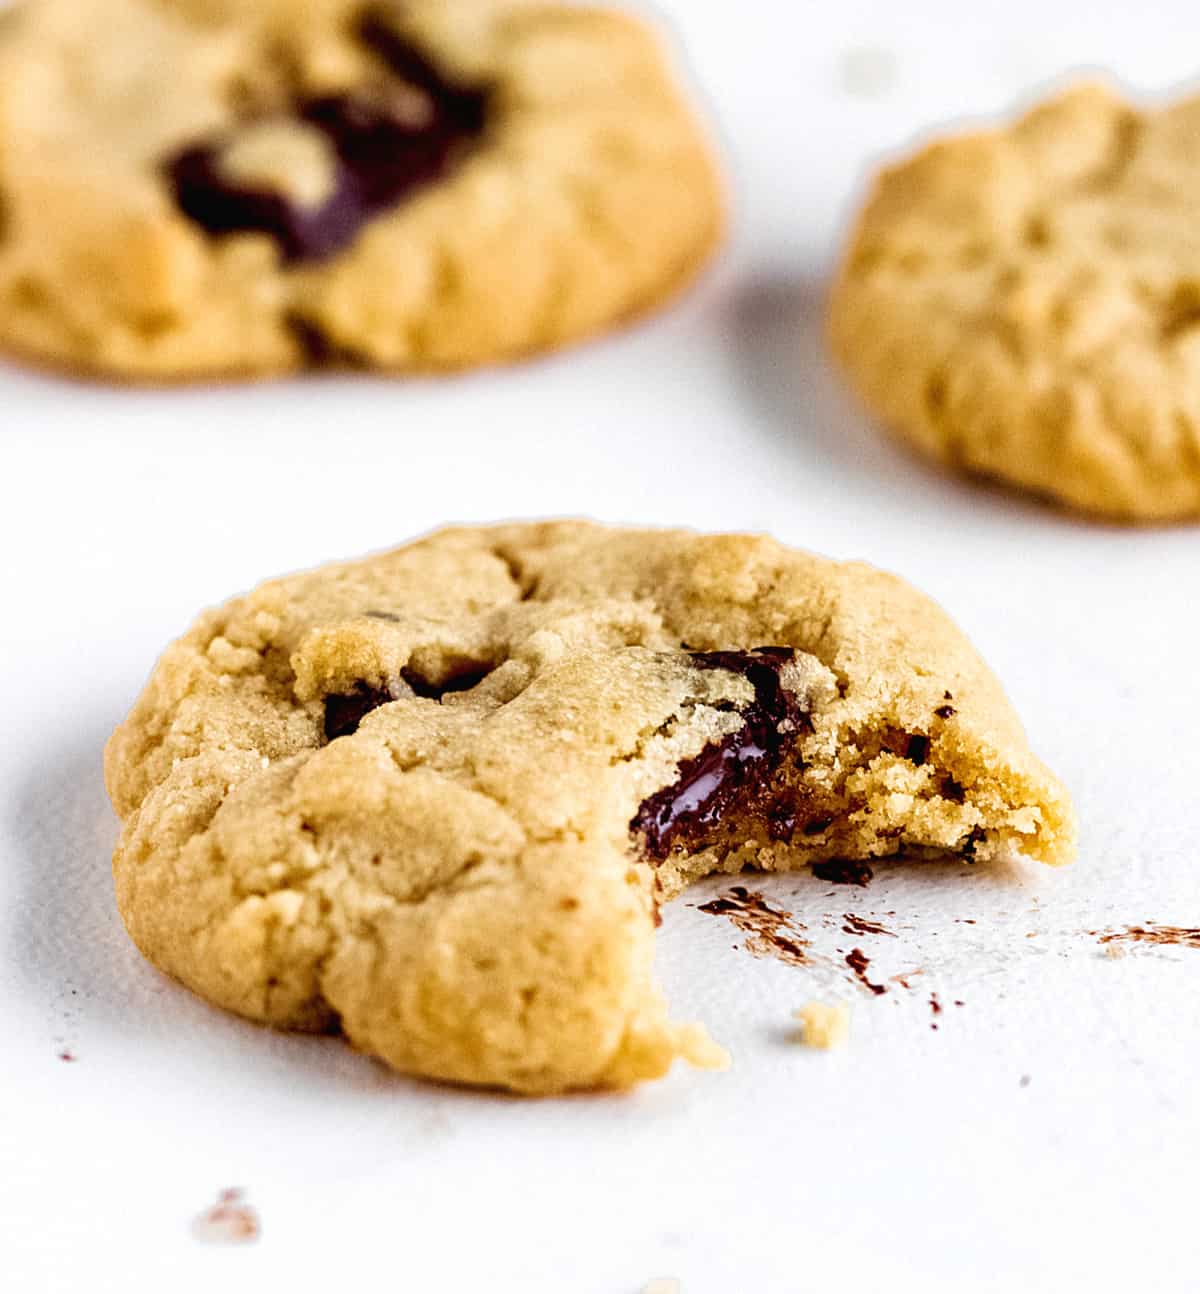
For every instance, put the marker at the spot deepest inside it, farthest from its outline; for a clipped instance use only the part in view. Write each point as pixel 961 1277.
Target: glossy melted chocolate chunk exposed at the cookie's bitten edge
pixel 735 771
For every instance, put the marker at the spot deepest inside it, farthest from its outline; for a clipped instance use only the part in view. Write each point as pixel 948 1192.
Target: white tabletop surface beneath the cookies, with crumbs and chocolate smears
pixel 912 1161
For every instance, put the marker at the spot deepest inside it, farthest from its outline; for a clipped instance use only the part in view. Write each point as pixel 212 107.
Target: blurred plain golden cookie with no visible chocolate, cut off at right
pixel 1023 303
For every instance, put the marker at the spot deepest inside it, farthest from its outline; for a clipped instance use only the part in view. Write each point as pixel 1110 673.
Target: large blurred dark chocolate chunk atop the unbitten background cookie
pixel 383 157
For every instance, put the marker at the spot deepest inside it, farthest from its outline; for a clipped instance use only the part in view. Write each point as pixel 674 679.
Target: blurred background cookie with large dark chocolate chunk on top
pixel 218 188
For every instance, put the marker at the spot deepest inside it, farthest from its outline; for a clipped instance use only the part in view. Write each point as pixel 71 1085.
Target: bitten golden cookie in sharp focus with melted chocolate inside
pixel 434 799
